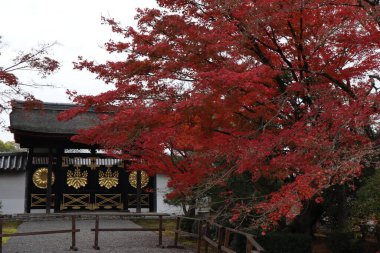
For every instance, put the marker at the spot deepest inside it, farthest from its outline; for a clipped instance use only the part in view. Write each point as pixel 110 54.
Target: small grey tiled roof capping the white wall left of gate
pixel 13 162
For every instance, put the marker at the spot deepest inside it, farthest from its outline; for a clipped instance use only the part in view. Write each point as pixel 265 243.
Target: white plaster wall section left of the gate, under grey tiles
pixel 12 192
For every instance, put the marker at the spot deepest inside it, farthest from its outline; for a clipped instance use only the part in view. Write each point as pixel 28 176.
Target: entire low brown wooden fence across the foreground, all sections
pixel 212 235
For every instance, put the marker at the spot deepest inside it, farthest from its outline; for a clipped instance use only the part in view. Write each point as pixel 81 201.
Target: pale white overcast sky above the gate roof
pixel 75 26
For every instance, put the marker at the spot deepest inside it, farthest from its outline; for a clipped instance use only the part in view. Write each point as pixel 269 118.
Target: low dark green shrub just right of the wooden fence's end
pixel 277 242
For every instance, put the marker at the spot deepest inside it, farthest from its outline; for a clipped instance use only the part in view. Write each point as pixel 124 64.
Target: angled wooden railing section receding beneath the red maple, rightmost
pixel 221 241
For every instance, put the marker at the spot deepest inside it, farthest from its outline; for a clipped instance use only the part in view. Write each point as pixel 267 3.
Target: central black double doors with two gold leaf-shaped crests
pixel 92 183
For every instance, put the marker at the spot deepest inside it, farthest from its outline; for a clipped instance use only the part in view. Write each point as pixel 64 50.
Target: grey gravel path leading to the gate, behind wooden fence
pixel 113 242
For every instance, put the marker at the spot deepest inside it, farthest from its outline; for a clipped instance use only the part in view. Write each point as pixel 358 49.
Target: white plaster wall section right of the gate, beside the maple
pixel 162 190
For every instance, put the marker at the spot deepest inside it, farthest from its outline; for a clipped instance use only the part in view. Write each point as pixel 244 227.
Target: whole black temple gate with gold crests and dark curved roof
pixel 66 176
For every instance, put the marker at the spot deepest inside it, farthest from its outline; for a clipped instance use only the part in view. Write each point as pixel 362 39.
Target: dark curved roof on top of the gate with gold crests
pixel 44 120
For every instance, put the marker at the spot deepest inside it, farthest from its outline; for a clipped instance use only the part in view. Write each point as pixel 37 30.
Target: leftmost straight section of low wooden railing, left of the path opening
pixel 73 232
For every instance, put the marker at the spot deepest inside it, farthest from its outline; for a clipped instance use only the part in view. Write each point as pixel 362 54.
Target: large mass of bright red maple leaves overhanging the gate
pixel 286 90
